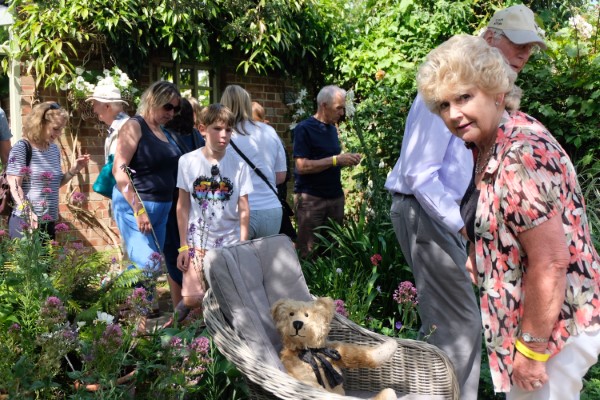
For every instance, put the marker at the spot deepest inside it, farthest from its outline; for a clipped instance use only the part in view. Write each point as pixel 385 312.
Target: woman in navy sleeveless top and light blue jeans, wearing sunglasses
pixel 152 159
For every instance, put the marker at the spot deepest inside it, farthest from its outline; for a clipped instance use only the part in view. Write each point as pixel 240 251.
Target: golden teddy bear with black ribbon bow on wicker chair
pixel 308 356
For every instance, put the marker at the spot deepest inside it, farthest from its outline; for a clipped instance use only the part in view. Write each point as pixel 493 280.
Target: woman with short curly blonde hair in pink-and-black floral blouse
pixel 532 255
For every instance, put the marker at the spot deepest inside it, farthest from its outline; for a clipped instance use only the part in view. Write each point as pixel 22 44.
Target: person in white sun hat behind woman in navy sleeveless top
pixel 108 106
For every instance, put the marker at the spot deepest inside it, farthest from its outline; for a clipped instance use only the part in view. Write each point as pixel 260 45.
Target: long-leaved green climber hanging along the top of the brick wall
pixel 291 36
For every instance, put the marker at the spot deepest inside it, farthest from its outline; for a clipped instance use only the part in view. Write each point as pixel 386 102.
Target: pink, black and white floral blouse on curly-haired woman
pixel 529 180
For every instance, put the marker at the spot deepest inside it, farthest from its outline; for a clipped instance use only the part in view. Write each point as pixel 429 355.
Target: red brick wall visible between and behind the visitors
pixel 91 222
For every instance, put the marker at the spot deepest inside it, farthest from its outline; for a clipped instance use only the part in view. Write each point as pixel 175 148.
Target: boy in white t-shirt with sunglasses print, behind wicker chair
pixel 213 209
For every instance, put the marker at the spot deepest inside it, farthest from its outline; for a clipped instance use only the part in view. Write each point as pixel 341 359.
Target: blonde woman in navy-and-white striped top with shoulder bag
pixel 34 170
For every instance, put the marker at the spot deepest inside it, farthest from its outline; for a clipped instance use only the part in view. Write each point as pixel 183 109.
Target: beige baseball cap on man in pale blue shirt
pixel 518 24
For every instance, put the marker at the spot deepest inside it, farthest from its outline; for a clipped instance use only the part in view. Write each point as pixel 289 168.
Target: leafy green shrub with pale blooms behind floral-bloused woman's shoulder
pixel 561 86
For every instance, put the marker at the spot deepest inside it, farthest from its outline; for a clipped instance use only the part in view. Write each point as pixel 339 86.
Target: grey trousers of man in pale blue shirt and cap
pixel 447 305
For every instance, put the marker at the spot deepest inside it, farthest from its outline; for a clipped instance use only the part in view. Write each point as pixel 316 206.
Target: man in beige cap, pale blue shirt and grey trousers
pixel 427 184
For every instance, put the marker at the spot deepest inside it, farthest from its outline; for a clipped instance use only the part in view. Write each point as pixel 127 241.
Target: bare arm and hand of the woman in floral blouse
pixel 544 286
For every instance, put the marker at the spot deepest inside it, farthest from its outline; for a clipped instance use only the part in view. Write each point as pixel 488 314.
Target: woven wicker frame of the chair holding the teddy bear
pixel 417 370
